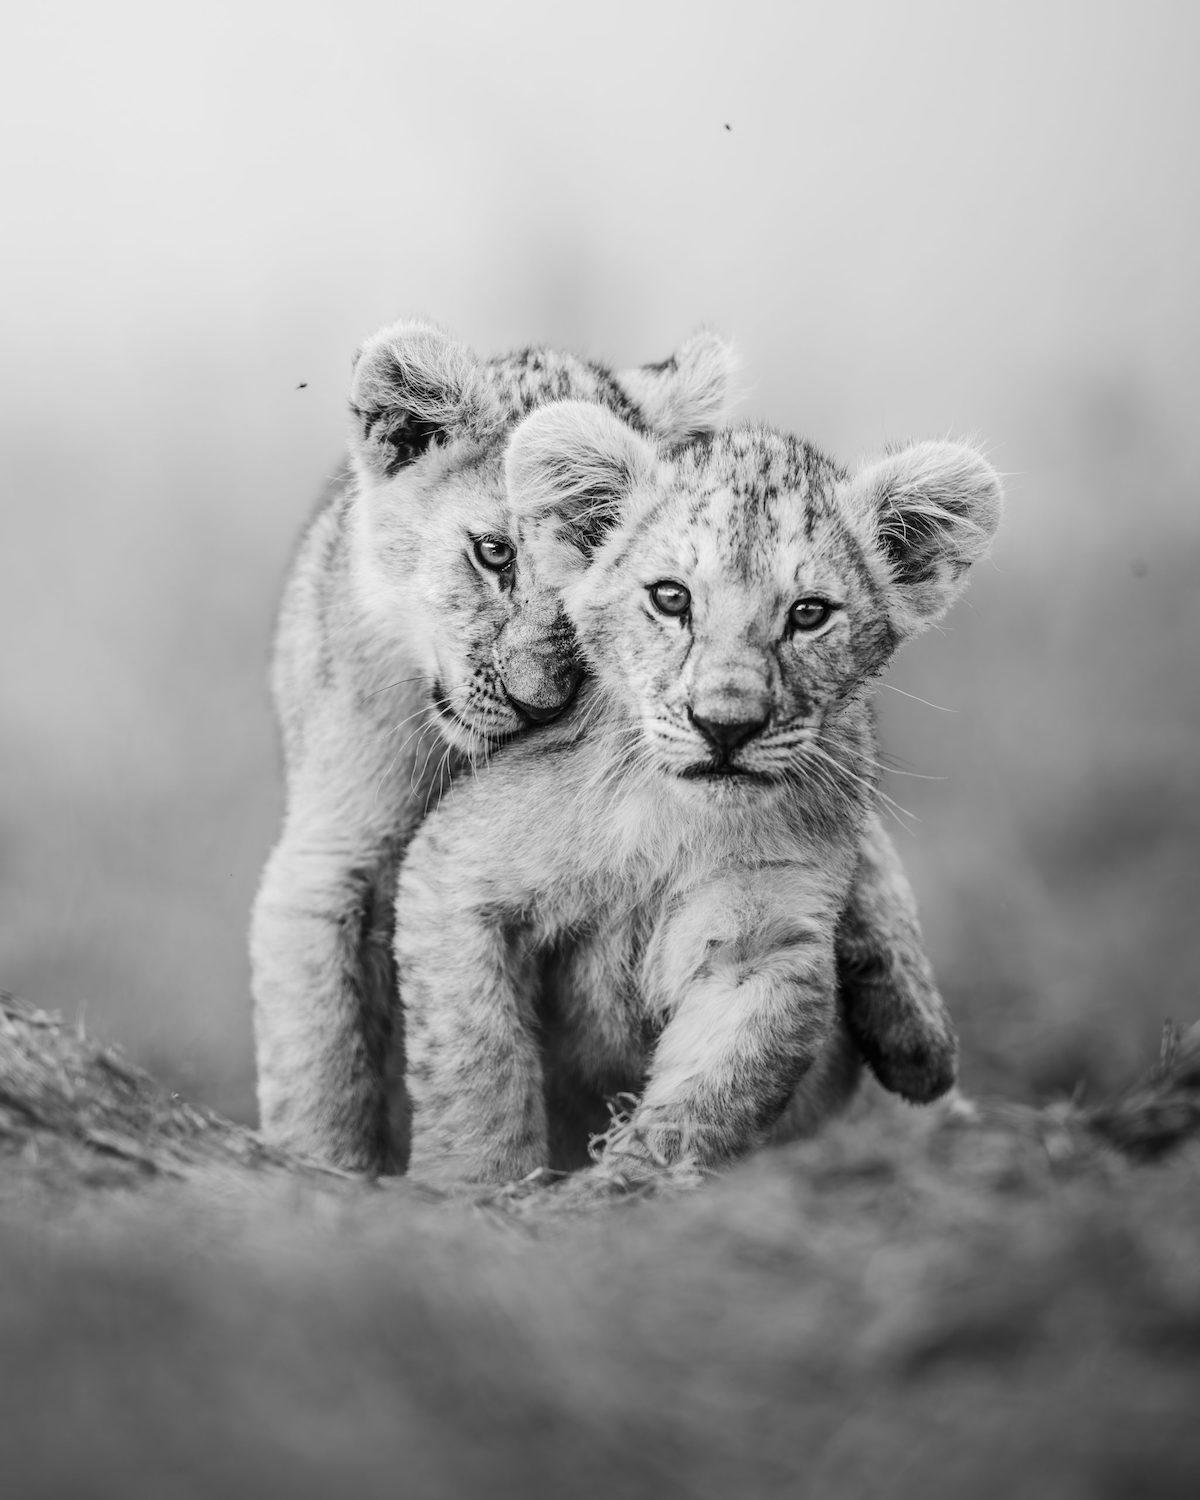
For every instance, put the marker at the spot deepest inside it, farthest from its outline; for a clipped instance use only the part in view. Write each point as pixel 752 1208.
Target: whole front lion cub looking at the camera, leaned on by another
pixel 682 847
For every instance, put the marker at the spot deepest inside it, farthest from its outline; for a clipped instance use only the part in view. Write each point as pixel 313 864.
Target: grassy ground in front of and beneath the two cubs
pixel 917 1304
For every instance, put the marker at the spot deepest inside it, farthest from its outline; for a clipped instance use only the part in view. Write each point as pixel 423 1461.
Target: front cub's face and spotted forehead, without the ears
pixel 734 613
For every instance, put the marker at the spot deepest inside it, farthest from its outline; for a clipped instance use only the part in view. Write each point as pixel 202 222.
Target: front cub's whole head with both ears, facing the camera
pixel 737 595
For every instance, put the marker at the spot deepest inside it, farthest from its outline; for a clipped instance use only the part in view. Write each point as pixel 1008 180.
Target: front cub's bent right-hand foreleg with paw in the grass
pixel 751 1009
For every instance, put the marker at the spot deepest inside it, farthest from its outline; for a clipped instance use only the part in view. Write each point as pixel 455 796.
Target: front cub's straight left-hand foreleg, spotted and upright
pixel 475 1067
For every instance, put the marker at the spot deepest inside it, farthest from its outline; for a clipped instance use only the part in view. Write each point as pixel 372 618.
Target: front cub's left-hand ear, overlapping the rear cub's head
pixel 575 466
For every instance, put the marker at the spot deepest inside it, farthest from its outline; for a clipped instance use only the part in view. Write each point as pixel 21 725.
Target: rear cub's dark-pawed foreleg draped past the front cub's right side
pixel 889 992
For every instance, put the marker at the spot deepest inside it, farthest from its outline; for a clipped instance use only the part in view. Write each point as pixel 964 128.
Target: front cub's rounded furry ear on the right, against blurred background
pixel 929 512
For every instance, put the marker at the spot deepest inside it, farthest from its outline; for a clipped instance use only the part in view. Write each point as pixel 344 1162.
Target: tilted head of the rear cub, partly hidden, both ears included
pixel 437 553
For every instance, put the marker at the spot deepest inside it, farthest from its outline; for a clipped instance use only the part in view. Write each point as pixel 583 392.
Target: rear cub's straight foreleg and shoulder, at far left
pixel 361 757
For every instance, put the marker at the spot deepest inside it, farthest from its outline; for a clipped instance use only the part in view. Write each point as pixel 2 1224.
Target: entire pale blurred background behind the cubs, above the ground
pixel 914 220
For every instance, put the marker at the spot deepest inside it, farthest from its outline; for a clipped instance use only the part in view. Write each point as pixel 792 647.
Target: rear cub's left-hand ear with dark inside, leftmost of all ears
pixel 413 386
